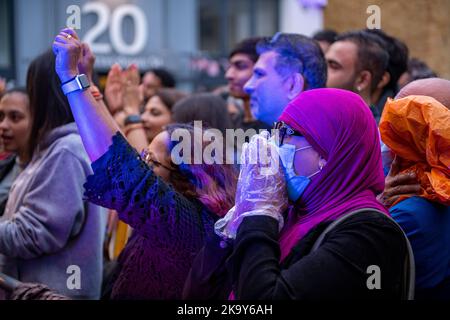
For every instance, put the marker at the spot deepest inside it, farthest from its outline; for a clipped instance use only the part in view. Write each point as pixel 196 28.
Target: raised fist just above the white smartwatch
pixel 68 49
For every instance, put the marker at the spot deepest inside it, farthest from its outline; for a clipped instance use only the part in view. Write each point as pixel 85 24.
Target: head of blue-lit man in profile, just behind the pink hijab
pixel 288 65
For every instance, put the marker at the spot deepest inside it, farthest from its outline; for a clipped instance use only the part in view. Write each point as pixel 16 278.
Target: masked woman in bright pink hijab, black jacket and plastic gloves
pixel 331 167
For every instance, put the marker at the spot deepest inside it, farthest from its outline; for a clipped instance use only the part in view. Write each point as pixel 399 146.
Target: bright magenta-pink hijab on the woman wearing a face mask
pixel 339 125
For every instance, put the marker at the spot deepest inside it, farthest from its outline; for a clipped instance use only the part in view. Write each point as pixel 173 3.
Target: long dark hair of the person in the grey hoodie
pixel 49 107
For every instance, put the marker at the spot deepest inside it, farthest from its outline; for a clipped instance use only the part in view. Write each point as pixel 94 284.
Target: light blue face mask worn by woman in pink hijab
pixel 296 185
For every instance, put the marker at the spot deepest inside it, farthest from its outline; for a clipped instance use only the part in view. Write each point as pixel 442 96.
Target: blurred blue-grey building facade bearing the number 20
pixel 189 37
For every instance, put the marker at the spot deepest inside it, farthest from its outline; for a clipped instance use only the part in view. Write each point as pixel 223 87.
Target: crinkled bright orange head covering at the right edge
pixel 417 129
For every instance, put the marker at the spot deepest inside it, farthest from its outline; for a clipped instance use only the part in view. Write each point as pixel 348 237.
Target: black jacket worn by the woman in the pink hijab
pixel 338 269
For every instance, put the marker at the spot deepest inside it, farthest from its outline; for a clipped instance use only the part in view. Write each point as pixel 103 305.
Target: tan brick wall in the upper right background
pixel 424 25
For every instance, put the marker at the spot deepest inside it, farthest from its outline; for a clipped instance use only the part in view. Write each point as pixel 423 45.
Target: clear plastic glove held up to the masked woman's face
pixel 261 188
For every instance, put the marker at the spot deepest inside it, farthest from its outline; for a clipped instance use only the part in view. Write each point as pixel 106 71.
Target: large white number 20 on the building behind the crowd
pixel 112 21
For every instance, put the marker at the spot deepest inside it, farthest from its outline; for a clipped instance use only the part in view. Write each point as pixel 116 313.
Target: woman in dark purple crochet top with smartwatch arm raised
pixel 171 207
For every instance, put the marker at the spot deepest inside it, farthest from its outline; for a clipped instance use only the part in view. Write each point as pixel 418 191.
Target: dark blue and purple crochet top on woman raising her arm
pixel 170 228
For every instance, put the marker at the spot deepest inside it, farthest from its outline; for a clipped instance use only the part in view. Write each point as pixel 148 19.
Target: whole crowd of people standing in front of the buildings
pixel 96 203
